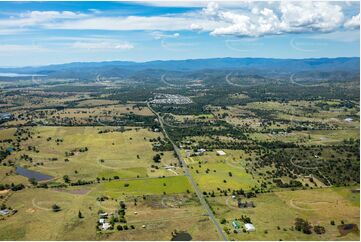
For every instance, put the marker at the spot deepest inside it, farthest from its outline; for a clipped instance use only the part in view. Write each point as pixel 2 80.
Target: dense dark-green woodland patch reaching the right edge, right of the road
pixel 341 169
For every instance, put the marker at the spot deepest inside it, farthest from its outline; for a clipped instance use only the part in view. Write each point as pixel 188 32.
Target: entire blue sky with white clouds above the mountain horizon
pixel 40 33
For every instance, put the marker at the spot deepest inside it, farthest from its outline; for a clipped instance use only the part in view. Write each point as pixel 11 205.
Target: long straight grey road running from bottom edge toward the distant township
pixel 190 178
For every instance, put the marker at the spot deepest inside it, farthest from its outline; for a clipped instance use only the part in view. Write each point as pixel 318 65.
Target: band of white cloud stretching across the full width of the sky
pixel 249 19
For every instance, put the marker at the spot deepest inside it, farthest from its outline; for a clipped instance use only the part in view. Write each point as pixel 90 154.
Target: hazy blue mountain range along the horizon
pixel 249 65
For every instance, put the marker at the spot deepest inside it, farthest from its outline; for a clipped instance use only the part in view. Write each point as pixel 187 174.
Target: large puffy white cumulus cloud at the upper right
pixel 288 17
